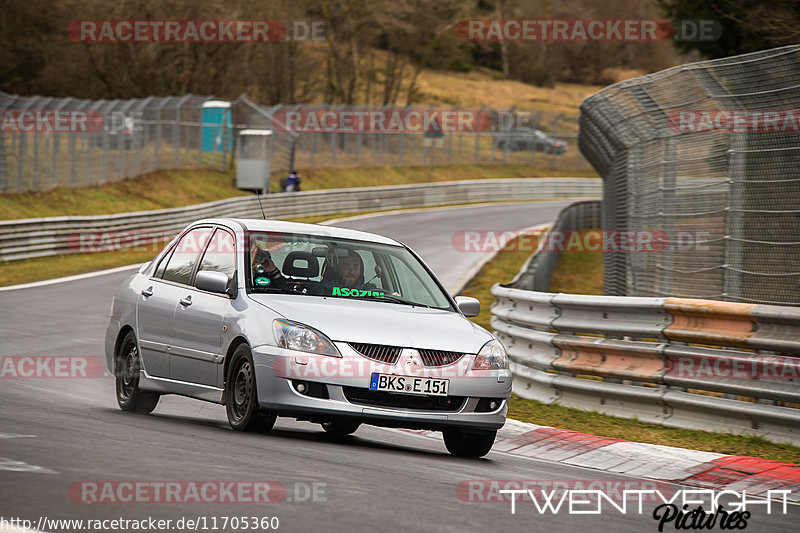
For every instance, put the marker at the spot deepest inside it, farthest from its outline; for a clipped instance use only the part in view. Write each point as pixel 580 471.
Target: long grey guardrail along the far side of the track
pixel 24 239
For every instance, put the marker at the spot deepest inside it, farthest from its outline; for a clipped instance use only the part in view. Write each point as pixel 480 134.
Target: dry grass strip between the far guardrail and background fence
pixel 176 188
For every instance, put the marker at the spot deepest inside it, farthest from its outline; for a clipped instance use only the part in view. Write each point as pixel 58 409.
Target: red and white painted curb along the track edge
pixel 651 461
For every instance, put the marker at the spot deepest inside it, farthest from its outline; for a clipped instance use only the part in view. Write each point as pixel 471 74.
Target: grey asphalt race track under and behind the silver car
pixel 58 436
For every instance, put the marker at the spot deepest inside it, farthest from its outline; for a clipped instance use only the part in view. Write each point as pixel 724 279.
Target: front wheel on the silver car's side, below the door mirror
pixel 241 395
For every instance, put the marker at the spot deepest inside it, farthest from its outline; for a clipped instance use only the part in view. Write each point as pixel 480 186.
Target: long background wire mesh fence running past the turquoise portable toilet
pixel 117 139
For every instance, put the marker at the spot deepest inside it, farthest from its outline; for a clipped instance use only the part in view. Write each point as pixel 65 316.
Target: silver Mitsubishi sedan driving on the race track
pixel 327 325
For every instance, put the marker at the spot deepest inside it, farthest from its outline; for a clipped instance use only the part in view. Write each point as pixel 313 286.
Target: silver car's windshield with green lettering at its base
pixel 340 268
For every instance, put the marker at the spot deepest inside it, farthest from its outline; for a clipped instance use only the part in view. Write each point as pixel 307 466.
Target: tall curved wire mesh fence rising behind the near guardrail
pixel 707 154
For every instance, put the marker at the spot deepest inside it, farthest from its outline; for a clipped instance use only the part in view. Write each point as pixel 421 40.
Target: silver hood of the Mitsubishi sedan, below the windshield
pixel 379 322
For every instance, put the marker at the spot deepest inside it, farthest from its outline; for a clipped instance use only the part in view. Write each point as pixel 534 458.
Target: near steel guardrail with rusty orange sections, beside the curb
pixel 686 363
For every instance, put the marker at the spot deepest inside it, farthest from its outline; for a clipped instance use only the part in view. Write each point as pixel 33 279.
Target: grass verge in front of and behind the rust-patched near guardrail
pixel 581 272
